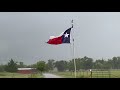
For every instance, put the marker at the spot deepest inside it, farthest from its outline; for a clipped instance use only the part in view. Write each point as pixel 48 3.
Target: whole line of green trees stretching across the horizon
pixel 62 65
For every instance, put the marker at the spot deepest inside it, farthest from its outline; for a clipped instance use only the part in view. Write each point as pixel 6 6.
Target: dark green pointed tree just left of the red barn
pixel 11 66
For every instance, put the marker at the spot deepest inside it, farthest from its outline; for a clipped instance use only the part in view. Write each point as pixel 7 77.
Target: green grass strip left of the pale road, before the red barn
pixel 17 75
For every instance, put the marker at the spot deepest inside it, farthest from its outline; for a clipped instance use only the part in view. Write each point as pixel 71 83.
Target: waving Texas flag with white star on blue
pixel 63 38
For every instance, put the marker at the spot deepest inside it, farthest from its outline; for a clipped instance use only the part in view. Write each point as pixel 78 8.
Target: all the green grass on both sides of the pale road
pixel 80 74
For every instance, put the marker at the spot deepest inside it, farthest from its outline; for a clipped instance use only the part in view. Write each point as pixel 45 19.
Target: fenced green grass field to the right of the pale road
pixel 87 74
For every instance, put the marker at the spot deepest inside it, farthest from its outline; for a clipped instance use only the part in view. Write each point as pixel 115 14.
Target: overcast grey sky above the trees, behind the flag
pixel 23 35
